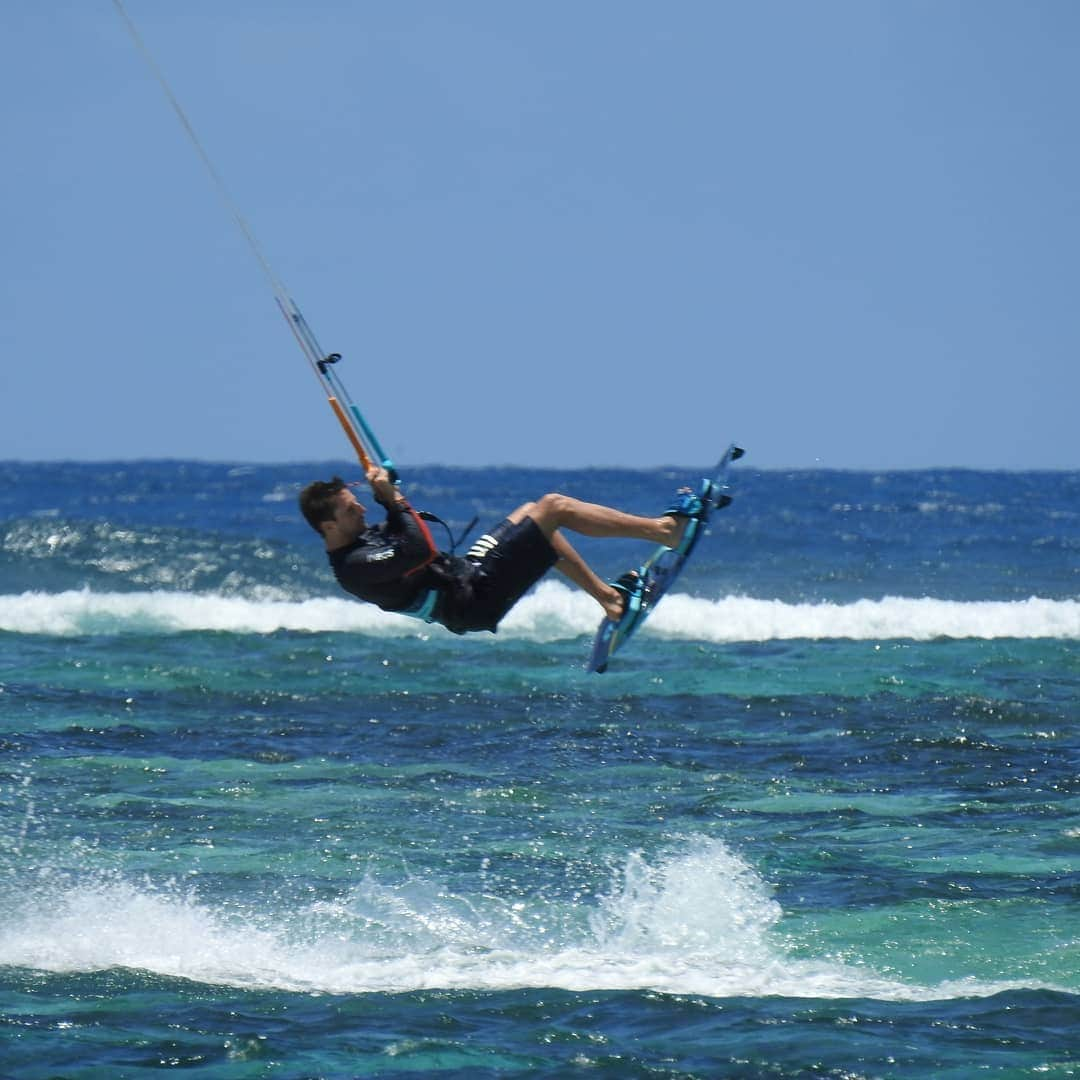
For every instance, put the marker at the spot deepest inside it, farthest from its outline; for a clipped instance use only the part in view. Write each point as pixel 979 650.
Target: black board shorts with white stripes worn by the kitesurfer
pixel 501 568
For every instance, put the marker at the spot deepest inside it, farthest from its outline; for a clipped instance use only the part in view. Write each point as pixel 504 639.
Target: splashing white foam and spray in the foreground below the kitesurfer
pixel 696 920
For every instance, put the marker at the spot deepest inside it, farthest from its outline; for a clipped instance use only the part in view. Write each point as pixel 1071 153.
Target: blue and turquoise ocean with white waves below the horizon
pixel 819 819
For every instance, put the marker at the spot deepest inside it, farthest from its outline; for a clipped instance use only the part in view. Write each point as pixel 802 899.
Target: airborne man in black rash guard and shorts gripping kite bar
pixel 398 566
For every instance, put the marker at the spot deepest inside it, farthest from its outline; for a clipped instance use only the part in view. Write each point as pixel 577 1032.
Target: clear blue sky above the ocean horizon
pixel 846 234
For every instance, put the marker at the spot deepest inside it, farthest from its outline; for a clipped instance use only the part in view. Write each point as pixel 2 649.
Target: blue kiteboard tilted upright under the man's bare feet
pixel 659 572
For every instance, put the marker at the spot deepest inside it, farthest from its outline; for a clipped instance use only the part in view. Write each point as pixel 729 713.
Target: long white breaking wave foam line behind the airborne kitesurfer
pixel 552 613
